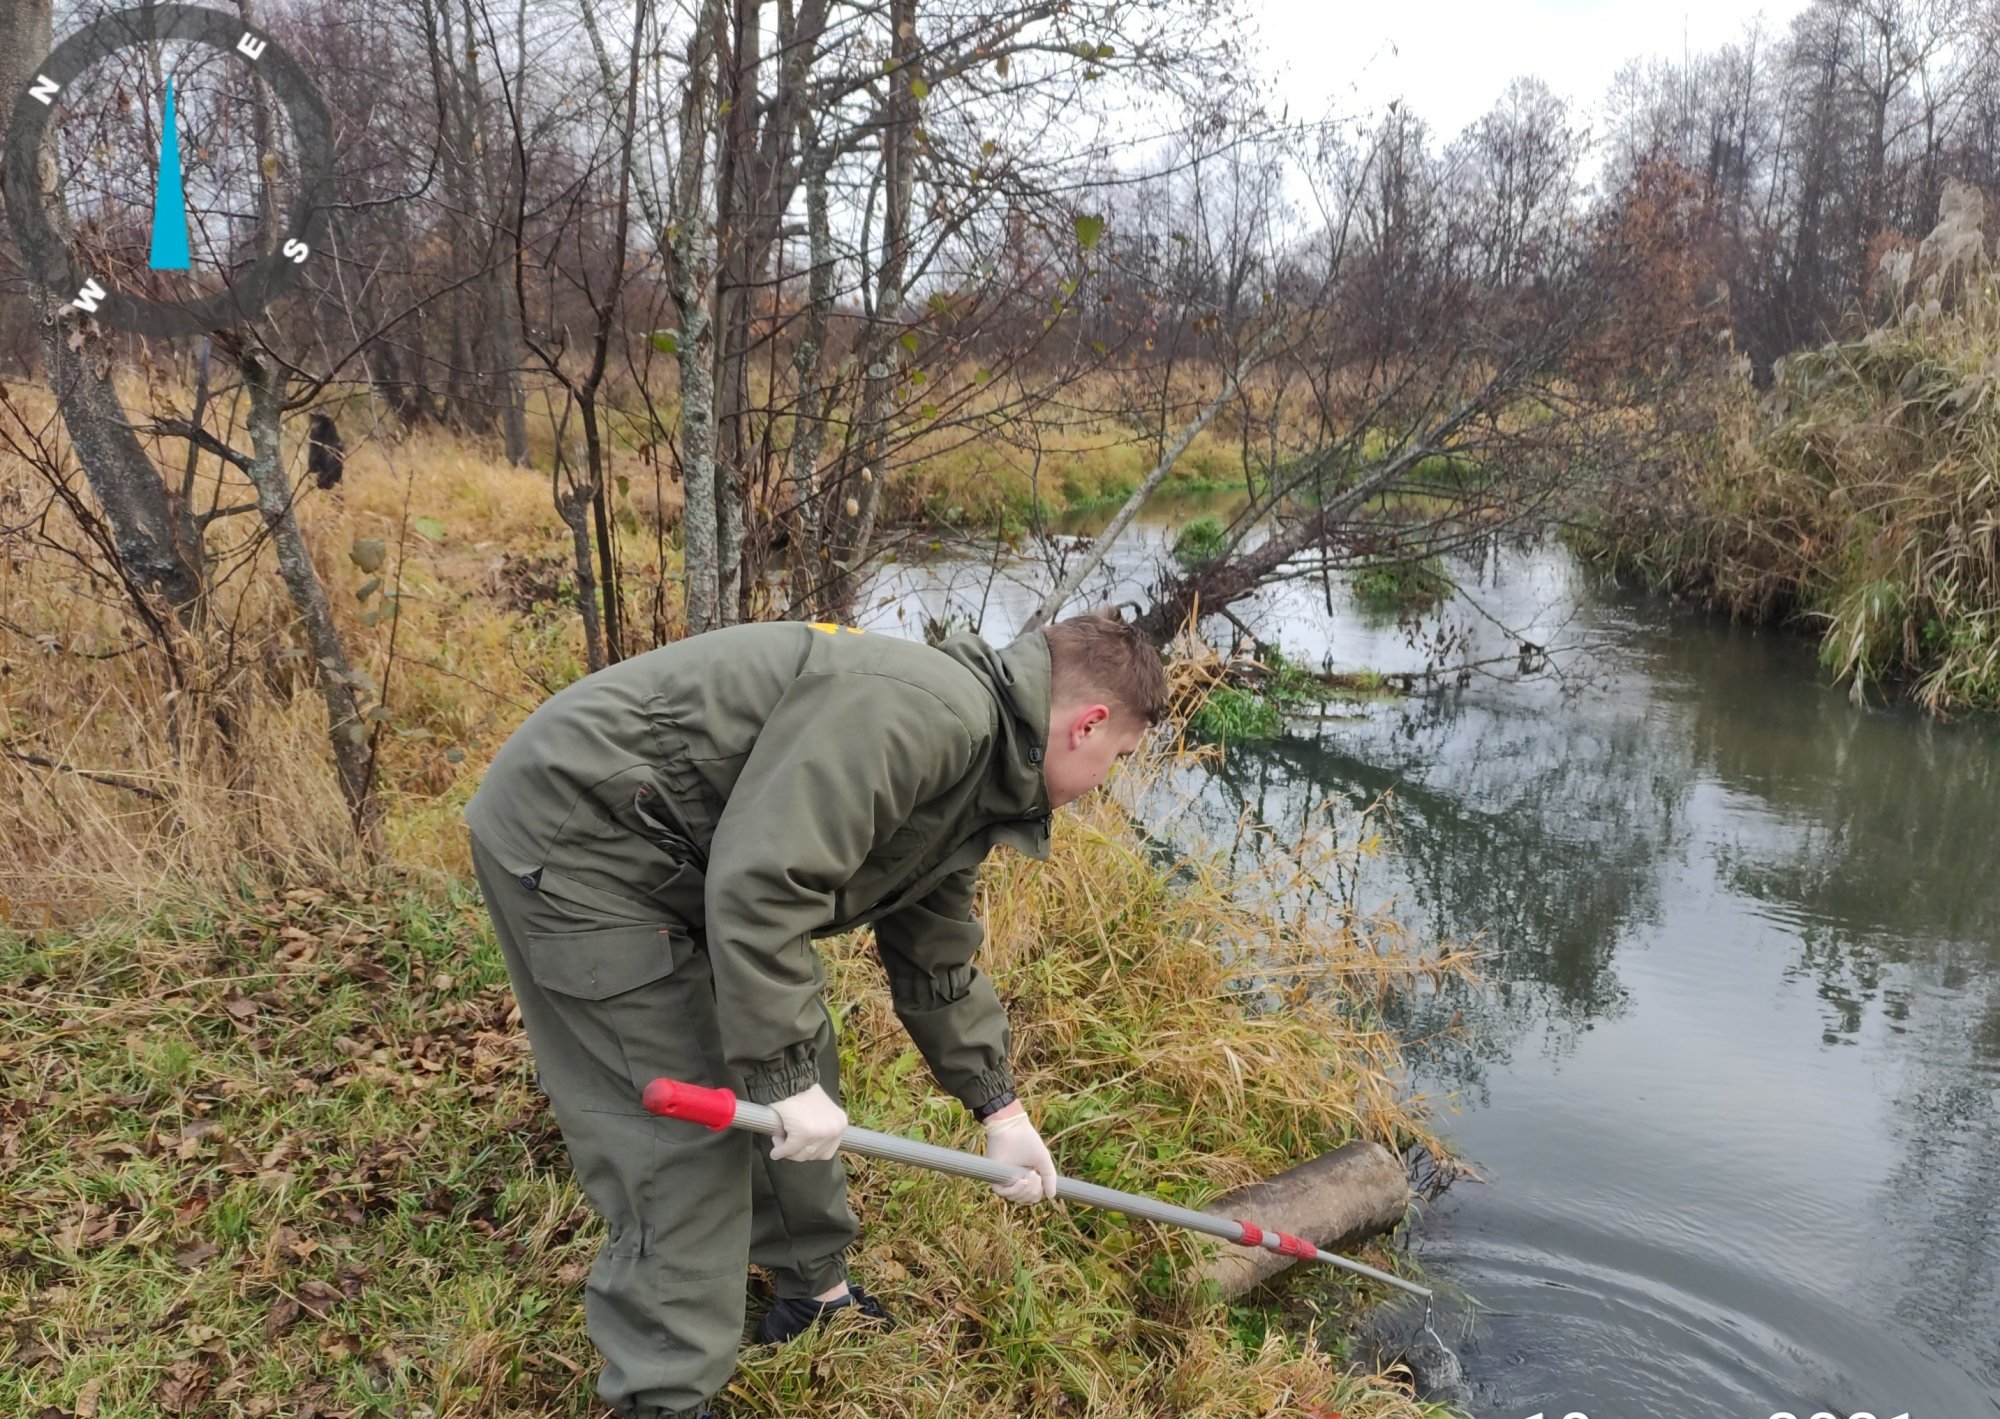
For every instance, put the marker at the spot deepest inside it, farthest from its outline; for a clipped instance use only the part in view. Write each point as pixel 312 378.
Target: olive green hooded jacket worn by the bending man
pixel 769 784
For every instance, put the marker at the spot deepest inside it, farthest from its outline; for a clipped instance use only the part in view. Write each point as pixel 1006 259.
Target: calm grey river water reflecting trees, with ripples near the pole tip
pixel 1733 1076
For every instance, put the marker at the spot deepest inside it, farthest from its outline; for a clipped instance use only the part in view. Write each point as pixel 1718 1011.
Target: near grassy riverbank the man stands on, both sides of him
pixel 283 1154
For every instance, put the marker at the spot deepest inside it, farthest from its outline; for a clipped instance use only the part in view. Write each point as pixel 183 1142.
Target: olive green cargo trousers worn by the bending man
pixel 613 1004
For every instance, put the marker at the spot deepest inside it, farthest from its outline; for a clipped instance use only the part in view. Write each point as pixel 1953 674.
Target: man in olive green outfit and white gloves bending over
pixel 659 846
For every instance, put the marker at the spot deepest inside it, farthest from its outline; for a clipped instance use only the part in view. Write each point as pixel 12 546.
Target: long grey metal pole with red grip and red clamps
pixel 723 1110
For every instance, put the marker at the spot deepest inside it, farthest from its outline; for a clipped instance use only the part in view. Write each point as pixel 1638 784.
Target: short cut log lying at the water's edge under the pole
pixel 1337 1200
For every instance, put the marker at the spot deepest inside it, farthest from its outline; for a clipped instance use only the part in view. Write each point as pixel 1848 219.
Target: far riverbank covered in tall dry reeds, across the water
pixel 1855 501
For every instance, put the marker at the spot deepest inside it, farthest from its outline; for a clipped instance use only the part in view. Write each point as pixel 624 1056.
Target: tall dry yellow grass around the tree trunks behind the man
pixel 477 555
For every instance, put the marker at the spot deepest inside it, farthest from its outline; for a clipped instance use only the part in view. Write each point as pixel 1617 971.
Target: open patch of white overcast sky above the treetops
pixel 1451 59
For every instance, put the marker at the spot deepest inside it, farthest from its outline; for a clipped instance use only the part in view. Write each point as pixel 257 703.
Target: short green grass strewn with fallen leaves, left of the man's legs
pixel 273 1152
